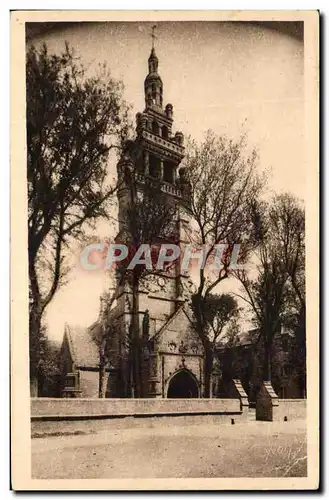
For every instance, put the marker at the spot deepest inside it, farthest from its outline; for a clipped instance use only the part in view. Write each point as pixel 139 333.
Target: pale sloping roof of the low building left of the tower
pixel 83 348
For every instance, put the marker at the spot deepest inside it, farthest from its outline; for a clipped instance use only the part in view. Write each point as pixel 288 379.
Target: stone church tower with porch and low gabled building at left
pixel 171 364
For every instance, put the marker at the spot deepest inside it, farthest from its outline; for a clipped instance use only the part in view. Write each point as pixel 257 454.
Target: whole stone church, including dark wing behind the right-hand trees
pixel 170 353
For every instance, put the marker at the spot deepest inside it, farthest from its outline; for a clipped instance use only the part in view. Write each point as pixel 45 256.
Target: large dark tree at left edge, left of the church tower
pixel 73 122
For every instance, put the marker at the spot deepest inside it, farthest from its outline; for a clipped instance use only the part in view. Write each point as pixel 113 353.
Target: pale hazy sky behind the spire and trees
pixel 229 77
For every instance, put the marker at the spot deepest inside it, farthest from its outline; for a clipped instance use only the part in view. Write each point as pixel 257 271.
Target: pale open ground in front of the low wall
pixel 153 450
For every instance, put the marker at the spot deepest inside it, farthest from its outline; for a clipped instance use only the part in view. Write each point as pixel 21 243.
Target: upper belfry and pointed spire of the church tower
pixel 156 153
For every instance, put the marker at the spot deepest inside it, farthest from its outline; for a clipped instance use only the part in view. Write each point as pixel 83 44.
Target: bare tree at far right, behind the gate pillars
pixel 279 277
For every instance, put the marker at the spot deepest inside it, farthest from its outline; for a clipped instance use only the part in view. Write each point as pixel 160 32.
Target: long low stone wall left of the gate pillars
pixel 84 409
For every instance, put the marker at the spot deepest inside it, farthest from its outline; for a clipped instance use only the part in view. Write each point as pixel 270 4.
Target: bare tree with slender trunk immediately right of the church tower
pixel 222 206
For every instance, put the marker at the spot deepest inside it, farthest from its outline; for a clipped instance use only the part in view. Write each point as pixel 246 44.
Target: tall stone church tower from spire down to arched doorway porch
pixel 171 353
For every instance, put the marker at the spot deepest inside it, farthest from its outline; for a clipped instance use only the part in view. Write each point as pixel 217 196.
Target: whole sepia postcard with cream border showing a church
pixel 165 219
